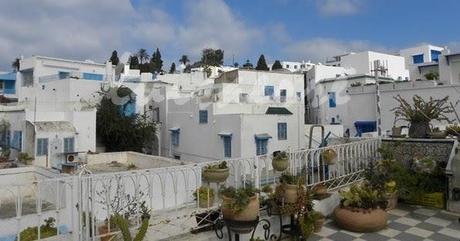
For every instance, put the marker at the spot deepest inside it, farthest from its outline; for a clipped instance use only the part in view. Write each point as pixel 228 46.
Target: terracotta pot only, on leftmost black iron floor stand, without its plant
pixel 250 213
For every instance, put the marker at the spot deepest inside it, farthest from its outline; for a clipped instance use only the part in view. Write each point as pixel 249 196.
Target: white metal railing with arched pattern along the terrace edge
pixel 81 204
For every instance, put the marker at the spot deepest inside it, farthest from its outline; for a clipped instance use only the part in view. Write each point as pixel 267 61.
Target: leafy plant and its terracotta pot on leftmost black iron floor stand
pixel 240 204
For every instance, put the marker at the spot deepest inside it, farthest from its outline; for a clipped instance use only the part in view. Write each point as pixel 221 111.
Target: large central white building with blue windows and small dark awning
pixel 242 114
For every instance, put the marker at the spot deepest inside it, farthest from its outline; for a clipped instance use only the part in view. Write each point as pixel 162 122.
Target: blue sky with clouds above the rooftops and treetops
pixel 280 29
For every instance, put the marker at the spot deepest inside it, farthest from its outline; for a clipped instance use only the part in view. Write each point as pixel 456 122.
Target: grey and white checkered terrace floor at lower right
pixel 406 223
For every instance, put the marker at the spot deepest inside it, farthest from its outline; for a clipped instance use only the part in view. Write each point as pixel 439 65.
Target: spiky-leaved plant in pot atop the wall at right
pixel 421 113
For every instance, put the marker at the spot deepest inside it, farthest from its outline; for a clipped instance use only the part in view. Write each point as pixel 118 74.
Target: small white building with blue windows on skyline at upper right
pixel 421 60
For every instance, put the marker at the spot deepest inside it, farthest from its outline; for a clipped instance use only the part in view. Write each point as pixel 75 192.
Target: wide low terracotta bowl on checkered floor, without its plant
pixel 361 221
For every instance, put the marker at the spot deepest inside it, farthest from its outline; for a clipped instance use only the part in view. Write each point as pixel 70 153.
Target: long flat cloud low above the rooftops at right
pixel 319 49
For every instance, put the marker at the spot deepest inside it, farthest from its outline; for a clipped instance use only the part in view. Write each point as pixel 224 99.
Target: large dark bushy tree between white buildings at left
pixel 118 131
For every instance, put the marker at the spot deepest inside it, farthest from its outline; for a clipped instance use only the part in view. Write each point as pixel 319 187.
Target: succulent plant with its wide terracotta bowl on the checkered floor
pixel 361 209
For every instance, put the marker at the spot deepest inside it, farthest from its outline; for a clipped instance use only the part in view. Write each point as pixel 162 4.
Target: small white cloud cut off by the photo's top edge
pixel 339 7
